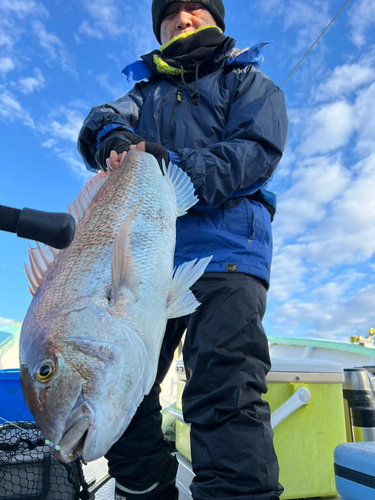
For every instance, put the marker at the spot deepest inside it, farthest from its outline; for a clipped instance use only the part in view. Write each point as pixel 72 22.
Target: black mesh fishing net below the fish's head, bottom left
pixel 28 470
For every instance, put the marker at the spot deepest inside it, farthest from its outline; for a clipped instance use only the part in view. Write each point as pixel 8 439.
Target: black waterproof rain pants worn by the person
pixel 226 358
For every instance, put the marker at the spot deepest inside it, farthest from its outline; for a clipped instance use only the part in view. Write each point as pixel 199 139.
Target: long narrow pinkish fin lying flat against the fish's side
pixel 123 267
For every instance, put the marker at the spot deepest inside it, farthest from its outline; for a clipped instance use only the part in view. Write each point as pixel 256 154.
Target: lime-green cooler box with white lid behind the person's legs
pixel 305 441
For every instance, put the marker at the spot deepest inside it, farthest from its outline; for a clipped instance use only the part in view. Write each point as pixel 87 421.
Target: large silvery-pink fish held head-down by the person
pixel 91 338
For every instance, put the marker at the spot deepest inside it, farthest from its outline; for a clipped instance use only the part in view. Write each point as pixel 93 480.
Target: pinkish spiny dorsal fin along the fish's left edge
pixel 41 258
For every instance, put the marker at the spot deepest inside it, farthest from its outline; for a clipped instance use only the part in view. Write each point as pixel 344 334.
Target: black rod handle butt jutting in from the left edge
pixel 53 229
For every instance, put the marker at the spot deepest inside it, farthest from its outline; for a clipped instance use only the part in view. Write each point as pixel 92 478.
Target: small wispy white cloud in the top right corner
pixel 362 19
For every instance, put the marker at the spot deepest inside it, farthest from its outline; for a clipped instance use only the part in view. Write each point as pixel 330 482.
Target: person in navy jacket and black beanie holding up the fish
pixel 205 106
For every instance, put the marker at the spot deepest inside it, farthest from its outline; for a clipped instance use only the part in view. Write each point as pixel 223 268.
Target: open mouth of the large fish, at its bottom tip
pixel 75 441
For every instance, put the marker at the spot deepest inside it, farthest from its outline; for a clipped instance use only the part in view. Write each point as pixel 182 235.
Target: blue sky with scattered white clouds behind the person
pixel 60 58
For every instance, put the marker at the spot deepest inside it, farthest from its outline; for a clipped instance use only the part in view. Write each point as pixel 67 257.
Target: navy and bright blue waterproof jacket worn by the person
pixel 230 145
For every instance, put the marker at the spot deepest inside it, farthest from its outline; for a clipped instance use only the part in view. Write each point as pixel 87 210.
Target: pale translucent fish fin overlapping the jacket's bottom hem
pixel 181 300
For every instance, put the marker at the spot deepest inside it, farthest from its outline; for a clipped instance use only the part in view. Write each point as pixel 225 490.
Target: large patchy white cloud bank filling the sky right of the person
pixel 324 230
